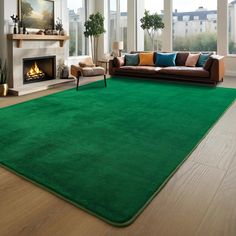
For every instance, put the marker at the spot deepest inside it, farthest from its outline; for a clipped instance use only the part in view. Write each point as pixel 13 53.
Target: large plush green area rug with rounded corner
pixel 109 150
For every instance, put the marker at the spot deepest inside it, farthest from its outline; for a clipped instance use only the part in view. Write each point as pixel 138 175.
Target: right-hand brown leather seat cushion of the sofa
pixel 185 71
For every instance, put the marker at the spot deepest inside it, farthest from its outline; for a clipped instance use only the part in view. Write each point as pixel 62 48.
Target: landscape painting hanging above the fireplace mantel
pixel 37 14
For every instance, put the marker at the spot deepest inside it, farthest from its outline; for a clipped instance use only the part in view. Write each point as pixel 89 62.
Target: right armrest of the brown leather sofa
pixel 217 69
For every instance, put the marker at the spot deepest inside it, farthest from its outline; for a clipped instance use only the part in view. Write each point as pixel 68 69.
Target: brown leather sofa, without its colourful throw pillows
pixel 212 72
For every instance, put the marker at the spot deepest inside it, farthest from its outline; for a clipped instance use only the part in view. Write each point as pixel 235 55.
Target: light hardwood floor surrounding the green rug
pixel 198 200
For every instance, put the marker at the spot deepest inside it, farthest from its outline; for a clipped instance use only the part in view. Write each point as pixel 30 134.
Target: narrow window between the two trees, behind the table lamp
pixel 117 20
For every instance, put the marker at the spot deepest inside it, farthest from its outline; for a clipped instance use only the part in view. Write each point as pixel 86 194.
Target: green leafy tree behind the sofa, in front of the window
pixel 151 23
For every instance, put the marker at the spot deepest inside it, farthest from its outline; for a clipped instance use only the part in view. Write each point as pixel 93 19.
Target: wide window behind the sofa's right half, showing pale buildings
pixel 195 25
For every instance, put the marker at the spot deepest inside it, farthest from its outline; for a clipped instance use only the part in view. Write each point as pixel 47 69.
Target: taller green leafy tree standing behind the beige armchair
pixel 94 27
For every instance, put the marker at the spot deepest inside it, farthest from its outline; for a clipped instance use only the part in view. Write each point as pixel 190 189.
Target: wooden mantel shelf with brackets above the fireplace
pixel 19 38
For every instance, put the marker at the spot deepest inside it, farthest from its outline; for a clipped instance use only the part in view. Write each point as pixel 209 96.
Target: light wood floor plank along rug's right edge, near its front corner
pixel 178 209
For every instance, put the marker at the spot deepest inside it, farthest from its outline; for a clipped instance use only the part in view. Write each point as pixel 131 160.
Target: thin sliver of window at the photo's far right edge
pixel 232 26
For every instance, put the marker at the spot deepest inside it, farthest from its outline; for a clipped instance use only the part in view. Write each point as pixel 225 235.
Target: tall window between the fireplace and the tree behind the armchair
pixel 77 16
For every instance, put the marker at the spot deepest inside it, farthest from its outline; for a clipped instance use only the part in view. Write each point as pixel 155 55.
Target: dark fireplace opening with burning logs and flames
pixel 39 69
